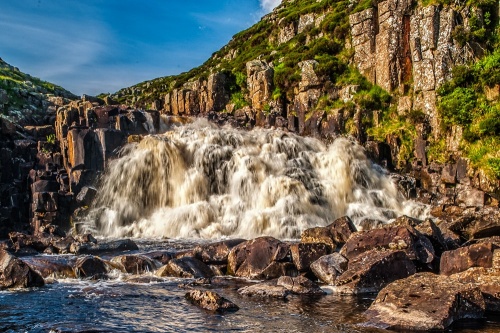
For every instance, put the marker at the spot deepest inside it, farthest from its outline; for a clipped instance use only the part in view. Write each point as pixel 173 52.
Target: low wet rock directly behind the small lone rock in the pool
pixel 186 267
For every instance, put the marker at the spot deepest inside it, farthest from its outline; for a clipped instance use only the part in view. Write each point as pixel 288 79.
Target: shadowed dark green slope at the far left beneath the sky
pixel 26 99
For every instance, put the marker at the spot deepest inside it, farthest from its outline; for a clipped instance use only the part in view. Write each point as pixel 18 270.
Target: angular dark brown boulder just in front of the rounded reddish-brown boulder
pixel 373 270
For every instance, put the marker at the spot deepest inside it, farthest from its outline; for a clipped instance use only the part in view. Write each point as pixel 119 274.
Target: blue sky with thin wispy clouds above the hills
pixel 101 46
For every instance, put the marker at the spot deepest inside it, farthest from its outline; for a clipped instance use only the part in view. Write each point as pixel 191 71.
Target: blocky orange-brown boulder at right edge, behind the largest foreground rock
pixel 459 260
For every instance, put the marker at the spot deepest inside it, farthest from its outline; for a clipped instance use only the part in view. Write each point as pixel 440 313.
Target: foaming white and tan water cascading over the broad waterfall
pixel 199 180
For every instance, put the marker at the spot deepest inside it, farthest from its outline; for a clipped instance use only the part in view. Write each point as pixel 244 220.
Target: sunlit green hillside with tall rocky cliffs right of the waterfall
pixel 420 76
